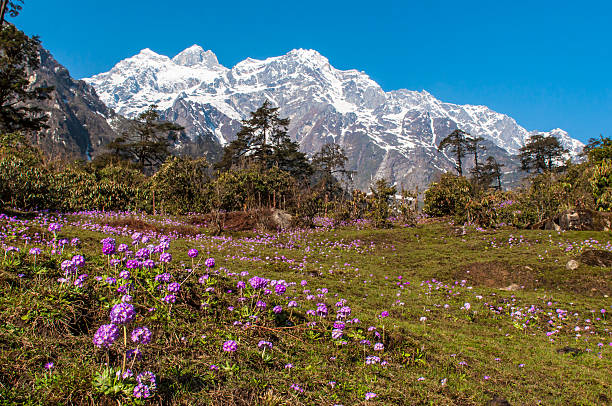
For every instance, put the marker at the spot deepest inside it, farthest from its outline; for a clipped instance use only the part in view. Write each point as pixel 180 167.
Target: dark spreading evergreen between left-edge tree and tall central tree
pixel 147 141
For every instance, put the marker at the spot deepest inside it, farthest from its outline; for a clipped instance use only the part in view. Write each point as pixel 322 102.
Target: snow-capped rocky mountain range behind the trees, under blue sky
pixel 385 134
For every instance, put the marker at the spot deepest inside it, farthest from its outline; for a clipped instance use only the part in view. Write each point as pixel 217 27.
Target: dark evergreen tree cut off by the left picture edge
pixel 18 58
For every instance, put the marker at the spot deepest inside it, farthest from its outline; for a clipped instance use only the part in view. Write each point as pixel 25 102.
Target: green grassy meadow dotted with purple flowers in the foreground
pixel 442 360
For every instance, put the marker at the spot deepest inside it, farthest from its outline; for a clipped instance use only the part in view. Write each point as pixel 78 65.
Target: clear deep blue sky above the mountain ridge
pixel 548 64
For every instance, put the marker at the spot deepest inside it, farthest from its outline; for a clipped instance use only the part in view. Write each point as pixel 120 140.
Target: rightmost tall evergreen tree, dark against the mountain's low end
pixel 541 153
